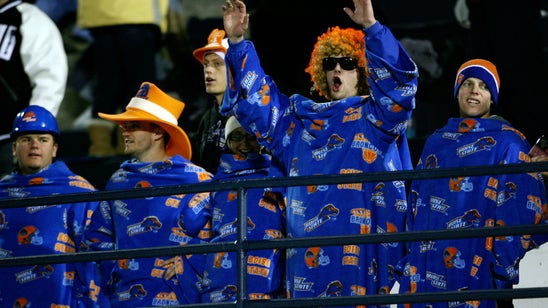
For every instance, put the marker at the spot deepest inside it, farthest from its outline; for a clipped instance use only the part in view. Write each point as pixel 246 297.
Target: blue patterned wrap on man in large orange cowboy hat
pixel 157 221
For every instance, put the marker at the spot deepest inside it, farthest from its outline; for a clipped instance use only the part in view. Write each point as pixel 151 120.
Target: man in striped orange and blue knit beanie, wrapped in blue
pixel 475 138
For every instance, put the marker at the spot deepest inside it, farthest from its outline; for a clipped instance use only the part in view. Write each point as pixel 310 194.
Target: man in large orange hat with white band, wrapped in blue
pixel 161 156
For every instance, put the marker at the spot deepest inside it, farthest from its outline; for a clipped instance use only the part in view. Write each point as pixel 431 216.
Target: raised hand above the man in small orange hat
pixel 236 20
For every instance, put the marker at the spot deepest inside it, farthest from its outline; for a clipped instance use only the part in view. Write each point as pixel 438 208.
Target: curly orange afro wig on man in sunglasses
pixel 336 41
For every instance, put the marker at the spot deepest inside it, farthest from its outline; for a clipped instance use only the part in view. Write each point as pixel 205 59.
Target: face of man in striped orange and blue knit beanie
pixel 474 99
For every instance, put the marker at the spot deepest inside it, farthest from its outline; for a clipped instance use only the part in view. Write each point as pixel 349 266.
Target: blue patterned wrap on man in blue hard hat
pixel 46 230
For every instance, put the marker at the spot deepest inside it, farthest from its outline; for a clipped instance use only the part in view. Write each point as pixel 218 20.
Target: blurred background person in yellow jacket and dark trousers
pixel 127 36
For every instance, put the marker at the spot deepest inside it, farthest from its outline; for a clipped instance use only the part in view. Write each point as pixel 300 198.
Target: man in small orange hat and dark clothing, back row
pixel 209 141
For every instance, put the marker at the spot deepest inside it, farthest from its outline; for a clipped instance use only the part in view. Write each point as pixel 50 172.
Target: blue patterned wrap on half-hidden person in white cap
pixel 265 220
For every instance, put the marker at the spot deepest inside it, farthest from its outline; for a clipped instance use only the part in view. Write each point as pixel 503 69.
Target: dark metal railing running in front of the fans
pixel 242 245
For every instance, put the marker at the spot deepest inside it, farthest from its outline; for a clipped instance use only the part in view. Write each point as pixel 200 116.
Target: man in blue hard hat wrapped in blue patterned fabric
pixel 48 229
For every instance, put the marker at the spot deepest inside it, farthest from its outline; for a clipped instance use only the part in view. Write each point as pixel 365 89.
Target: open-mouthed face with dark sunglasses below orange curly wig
pixel 342 83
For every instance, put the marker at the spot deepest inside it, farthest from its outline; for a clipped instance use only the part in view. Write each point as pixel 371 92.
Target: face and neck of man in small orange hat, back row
pixel 215 75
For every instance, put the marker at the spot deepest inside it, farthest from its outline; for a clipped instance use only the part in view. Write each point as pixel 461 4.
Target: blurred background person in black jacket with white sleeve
pixel 33 67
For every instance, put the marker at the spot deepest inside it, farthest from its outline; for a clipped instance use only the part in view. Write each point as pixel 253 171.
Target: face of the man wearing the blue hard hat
pixel 34 152
